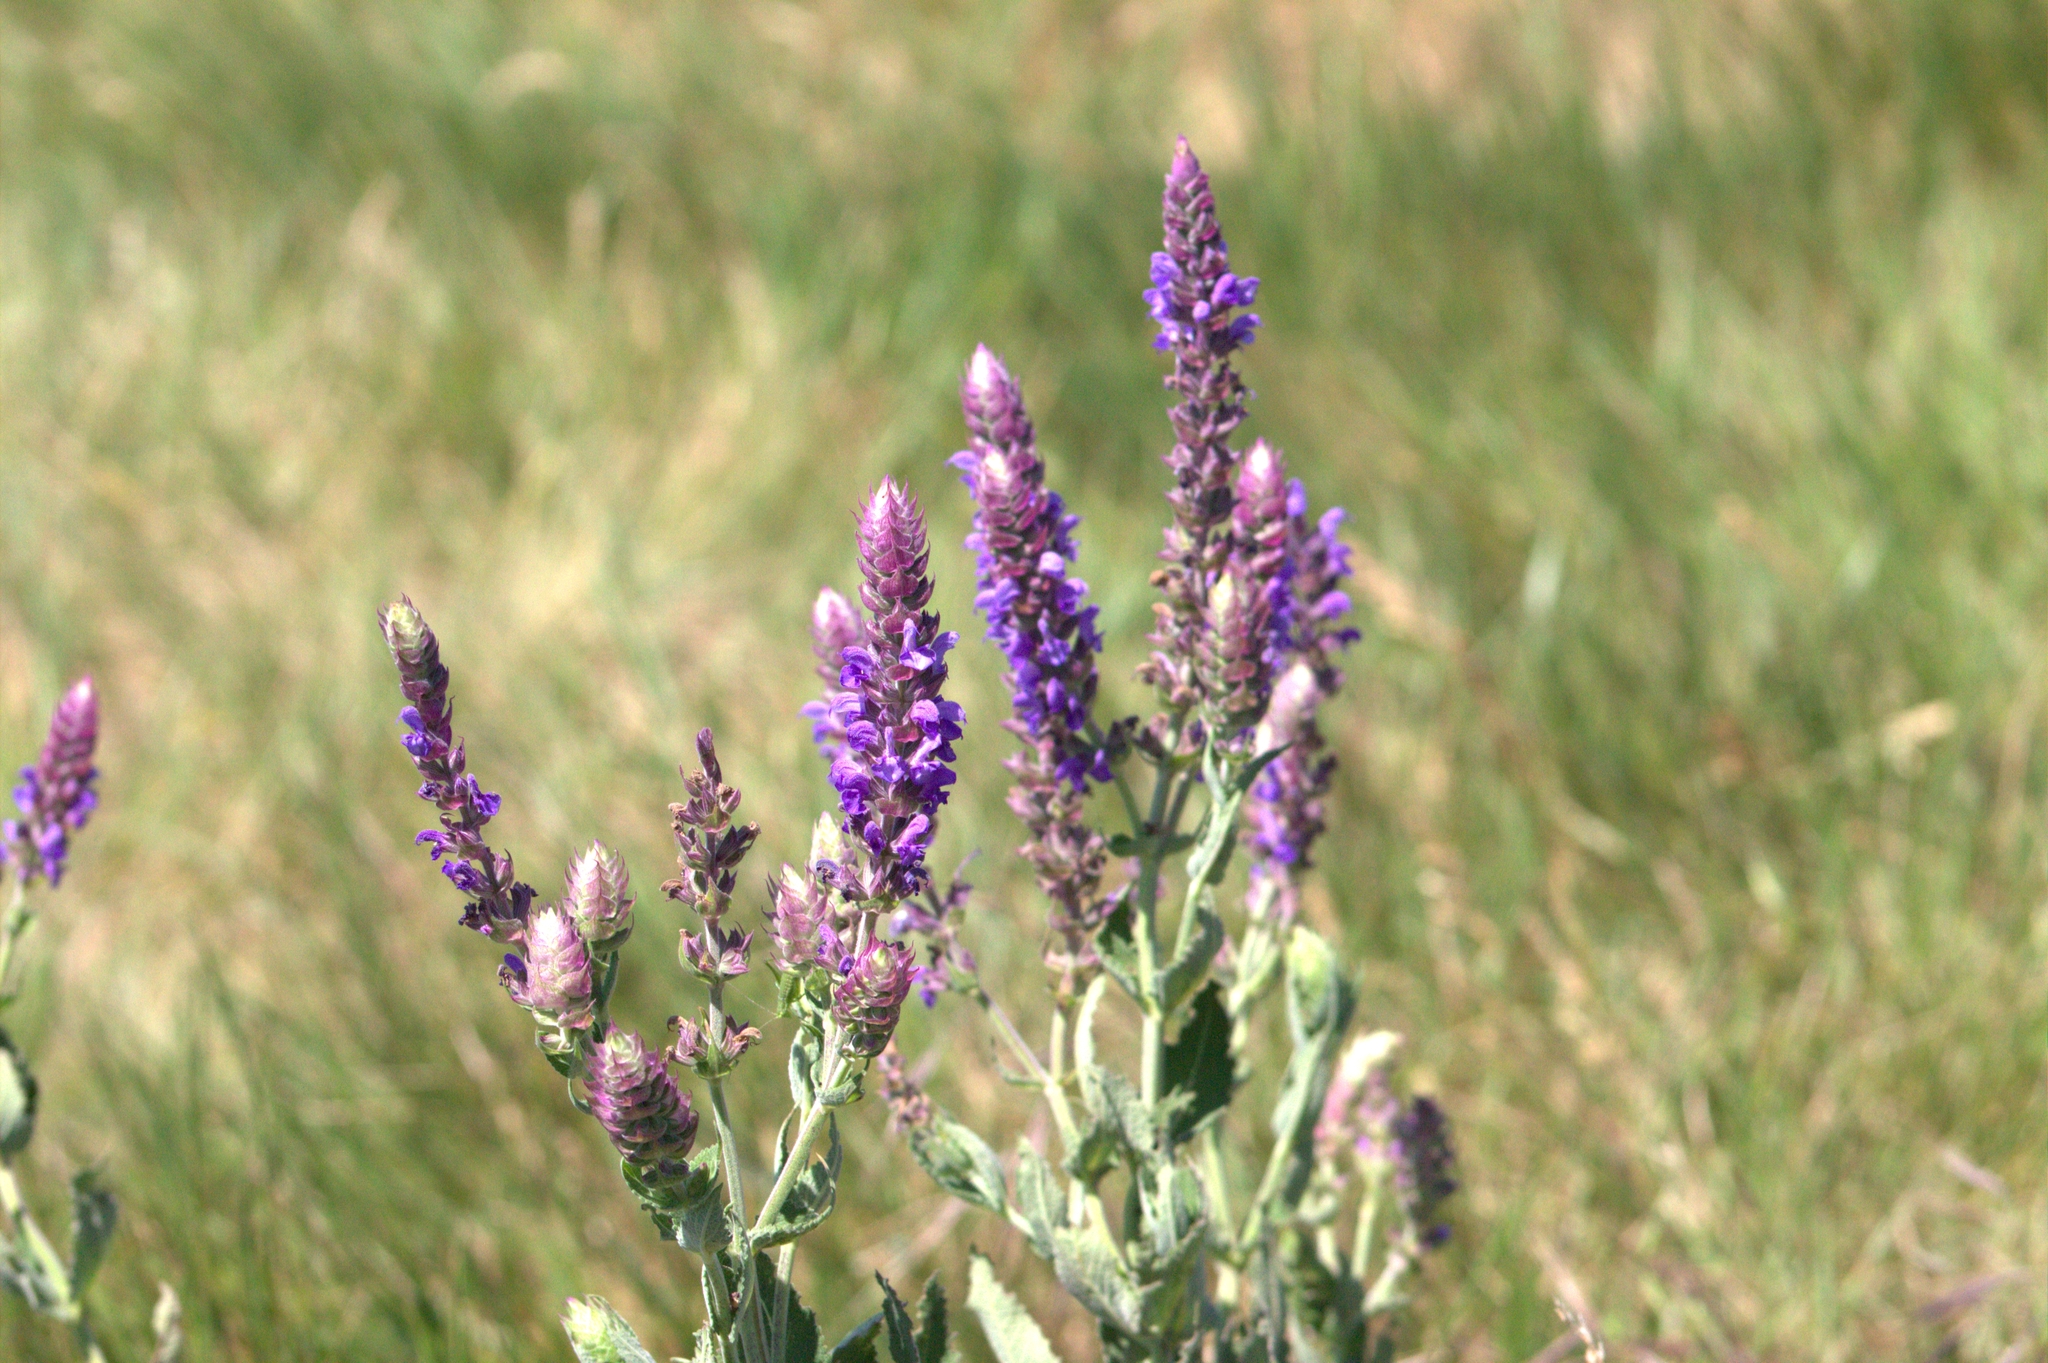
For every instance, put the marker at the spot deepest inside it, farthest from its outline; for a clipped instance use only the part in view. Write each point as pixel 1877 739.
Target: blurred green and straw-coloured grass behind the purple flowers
pixel 1682 369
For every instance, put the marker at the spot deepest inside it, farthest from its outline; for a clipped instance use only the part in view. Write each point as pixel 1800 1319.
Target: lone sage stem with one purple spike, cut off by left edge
pixel 54 799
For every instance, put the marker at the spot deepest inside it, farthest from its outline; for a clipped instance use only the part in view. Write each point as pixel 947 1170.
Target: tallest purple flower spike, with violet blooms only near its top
pixel 1193 300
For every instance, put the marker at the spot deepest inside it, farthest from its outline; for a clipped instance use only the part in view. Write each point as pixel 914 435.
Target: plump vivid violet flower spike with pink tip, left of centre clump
pixel 898 760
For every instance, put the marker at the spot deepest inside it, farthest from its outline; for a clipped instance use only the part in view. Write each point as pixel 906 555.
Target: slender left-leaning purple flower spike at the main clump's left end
pixel 499 904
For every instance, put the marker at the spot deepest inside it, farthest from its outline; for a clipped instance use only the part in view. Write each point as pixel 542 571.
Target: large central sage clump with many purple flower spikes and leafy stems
pixel 1179 1239
